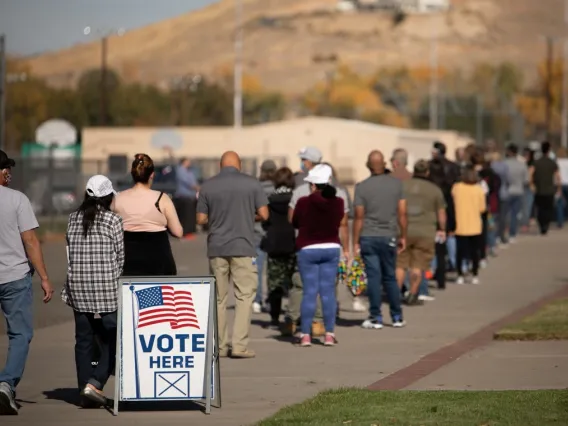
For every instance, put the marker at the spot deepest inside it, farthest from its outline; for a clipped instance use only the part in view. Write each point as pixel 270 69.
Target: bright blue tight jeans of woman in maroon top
pixel 318 269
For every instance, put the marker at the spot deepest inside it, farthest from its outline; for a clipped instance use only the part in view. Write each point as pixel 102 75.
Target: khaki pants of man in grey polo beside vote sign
pixel 245 280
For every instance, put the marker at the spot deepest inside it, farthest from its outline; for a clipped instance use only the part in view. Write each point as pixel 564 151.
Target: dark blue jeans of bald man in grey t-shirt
pixel 379 257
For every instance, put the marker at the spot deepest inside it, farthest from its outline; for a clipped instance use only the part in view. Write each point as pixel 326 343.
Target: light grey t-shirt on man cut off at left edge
pixel 17 216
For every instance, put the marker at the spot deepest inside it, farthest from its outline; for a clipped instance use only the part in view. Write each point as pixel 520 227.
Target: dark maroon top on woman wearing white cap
pixel 317 219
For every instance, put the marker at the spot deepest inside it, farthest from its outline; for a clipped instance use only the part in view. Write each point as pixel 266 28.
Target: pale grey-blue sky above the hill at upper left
pixel 35 26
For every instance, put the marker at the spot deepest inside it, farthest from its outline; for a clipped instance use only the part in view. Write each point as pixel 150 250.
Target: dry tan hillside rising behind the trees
pixel 282 38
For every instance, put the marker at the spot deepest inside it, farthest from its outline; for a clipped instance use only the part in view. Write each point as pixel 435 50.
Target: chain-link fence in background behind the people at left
pixel 55 186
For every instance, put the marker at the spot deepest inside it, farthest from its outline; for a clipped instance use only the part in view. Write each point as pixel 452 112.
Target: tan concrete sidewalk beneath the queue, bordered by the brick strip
pixel 283 374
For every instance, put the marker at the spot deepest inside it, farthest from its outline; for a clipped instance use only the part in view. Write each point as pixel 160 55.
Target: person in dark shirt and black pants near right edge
pixel 547 184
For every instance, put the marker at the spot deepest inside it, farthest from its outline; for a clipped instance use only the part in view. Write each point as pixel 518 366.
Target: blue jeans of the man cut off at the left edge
pixel 16 301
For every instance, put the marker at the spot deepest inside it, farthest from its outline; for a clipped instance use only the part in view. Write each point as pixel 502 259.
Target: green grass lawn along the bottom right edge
pixel 358 407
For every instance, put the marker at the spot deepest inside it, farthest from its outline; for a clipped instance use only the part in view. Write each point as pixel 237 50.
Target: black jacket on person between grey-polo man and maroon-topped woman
pixel 280 236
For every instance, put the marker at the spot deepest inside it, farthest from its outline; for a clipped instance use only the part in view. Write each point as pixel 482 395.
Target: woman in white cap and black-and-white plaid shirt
pixel 95 247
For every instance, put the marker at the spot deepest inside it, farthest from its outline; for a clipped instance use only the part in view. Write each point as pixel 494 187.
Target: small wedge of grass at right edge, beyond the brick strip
pixel 549 323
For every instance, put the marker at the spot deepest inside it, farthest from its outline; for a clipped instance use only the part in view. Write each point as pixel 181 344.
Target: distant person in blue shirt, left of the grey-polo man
pixel 185 197
